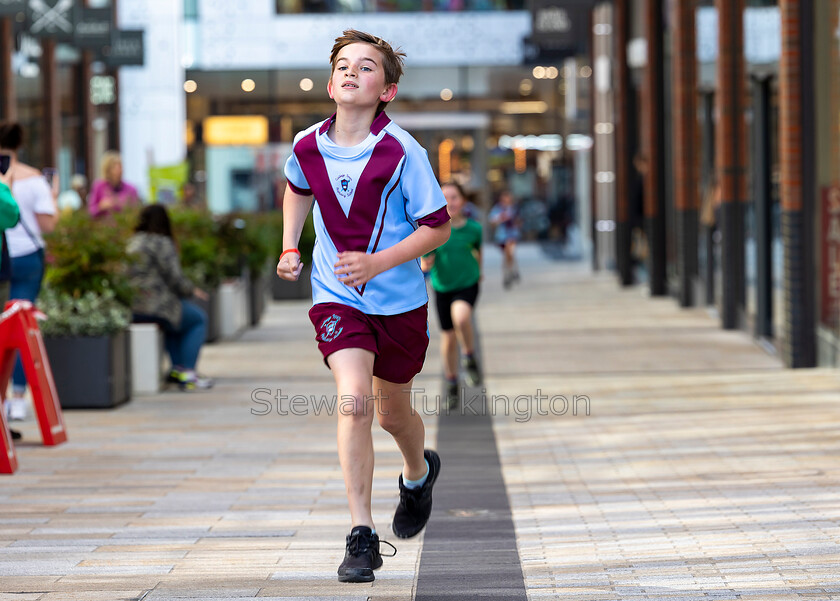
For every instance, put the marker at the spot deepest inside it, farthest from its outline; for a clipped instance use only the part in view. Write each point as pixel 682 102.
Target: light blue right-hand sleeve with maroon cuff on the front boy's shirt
pixel 423 197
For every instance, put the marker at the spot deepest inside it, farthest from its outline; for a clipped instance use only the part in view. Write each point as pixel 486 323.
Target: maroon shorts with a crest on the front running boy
pixel 399 342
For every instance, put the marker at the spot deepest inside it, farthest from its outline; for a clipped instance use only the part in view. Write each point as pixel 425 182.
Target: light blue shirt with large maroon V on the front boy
pixel 368 198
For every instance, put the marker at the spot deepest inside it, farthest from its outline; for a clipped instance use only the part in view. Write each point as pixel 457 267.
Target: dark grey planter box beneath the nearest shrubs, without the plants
pixel 91 372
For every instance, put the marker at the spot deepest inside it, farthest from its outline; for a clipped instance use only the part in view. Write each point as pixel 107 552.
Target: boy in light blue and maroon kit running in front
pixel 378 210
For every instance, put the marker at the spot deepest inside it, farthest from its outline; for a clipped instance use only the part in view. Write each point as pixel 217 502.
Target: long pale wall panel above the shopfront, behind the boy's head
pixel 236 38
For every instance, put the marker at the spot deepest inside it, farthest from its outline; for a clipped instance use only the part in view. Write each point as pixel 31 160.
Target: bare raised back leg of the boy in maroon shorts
pixel 398 418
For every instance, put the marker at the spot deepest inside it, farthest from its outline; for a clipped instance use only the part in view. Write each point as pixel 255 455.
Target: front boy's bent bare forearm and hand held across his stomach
pixel 355 268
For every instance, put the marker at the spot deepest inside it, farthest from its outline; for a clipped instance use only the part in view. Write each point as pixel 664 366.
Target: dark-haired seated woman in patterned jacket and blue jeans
pixel 161 293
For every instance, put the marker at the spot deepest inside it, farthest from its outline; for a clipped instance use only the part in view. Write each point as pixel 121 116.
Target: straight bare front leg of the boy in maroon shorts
pixel 353 372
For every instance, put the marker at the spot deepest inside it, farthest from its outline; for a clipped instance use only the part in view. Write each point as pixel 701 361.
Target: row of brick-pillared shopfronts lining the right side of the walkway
pixel 726 123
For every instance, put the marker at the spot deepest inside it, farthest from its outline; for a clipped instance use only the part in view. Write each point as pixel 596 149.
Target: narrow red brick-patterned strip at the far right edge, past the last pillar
pixel 830 276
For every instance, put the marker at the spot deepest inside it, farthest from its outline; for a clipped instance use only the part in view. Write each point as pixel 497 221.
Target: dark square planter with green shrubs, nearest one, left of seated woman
pixel 86 298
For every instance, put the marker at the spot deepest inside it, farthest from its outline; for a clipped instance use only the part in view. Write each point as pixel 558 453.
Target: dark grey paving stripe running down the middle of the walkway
pixel 469 551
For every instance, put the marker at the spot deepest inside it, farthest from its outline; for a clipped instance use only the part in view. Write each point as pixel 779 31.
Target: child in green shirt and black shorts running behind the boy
pixel 456 272
